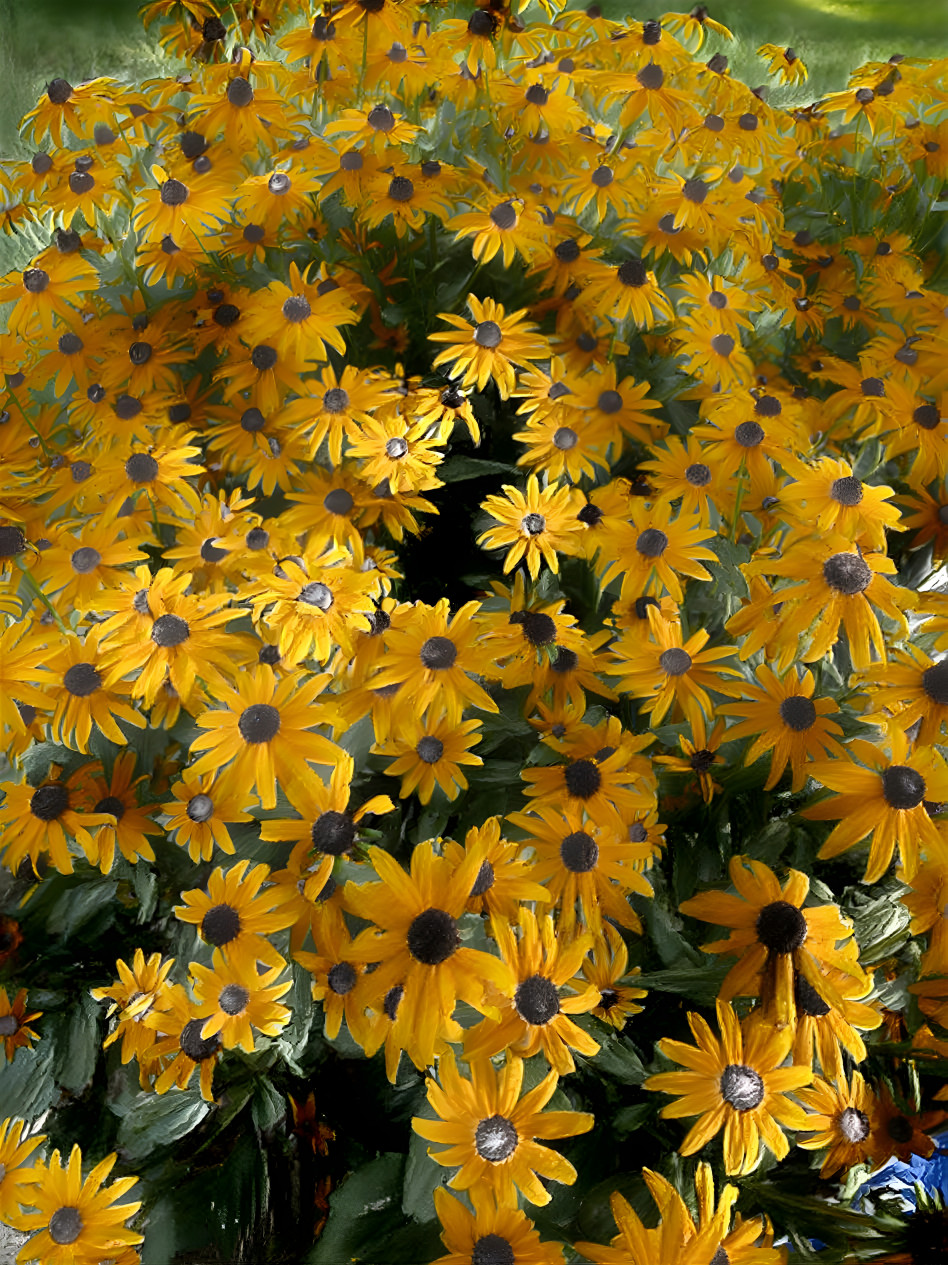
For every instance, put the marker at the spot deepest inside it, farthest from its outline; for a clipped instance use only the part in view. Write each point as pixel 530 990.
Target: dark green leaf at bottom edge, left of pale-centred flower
pixel 366 1206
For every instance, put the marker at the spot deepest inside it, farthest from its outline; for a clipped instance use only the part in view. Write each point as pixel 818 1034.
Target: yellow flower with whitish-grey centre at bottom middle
pixel 490 1130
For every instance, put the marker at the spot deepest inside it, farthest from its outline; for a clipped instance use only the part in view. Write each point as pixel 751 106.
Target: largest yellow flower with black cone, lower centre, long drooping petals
pixel 417 943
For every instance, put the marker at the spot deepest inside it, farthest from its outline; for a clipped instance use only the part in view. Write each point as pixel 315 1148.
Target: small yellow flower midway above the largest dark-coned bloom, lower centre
pixel 431 753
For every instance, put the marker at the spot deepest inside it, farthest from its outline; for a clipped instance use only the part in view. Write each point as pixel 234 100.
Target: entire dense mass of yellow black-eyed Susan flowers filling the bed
pixel 358 256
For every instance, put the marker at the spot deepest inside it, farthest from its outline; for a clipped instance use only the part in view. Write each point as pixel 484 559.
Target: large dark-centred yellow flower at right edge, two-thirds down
pixel 885 798
